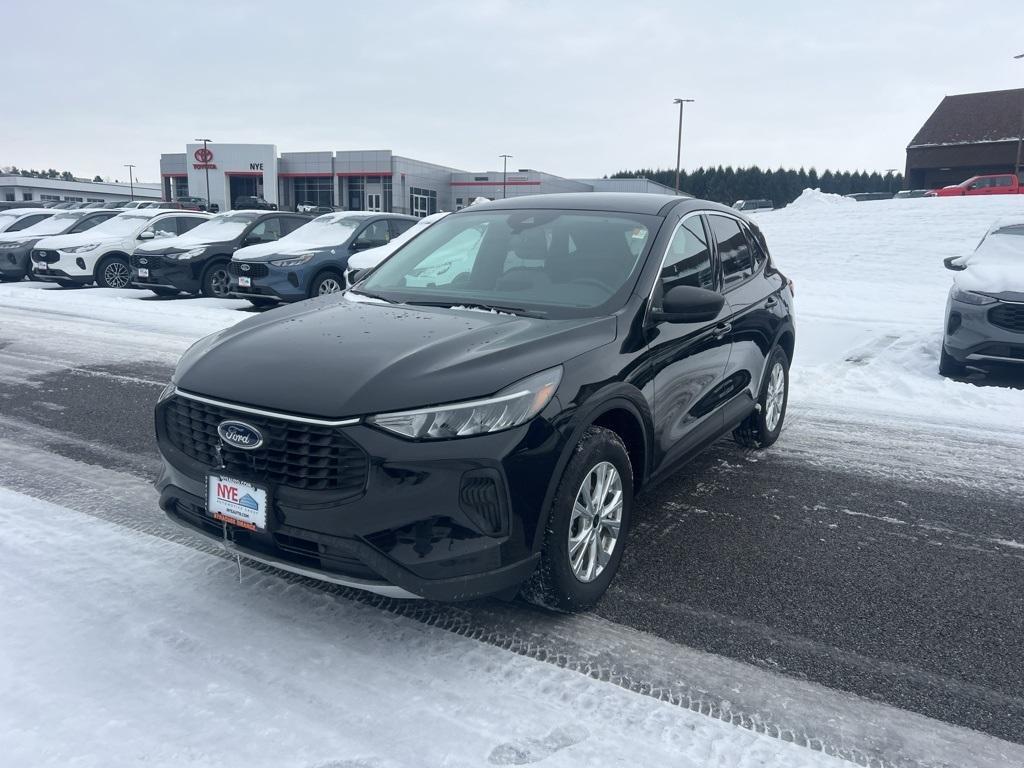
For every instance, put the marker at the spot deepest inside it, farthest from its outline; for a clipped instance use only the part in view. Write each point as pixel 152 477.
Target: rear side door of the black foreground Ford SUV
pixel 755 315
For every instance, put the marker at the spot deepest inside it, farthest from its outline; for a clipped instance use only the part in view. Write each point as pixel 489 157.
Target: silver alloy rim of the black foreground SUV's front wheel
pixel 598 518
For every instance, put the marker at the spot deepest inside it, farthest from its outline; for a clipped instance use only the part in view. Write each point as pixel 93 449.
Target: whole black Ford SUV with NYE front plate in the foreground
pixel 477 415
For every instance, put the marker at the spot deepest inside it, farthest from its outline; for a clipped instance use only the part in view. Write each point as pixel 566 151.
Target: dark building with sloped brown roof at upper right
pixel 967 136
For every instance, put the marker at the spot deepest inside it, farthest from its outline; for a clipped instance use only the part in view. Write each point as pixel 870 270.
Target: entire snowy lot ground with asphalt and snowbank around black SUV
pixel 854 592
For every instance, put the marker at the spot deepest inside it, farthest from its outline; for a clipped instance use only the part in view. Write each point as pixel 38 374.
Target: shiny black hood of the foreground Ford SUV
pixel 336 357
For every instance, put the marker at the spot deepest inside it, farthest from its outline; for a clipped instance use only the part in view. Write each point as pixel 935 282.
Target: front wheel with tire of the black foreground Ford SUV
pixel 587 526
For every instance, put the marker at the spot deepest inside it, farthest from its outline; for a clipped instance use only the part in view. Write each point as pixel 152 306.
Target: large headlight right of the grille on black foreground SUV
pixel 510 408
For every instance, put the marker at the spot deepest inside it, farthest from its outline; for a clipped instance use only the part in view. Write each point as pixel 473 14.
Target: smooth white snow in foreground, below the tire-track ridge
pixel 119 649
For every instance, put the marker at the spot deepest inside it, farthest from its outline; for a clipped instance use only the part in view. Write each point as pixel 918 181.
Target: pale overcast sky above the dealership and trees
pixel 573 89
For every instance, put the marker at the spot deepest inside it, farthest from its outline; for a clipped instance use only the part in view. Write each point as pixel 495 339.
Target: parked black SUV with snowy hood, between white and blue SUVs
pixel 197 262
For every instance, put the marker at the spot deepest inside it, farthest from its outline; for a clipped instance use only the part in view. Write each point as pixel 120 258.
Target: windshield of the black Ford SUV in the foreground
pixel 556 264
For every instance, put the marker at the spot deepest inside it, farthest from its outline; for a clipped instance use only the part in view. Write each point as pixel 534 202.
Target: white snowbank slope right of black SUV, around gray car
pixel 871 306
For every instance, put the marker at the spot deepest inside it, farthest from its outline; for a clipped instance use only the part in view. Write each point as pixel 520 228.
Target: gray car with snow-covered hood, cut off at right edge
pixel 986 309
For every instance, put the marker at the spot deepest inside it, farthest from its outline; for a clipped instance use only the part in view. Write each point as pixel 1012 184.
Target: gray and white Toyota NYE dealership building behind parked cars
pixel 356 181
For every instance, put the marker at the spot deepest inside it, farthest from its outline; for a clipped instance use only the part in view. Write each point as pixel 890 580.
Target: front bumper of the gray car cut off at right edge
pixel 972 339
